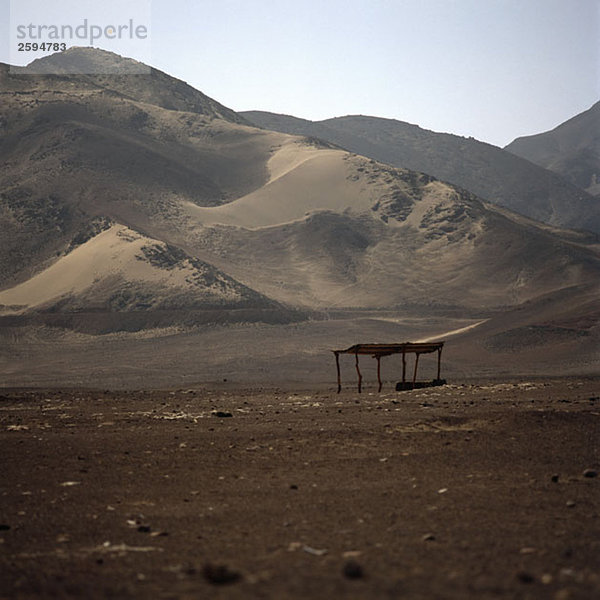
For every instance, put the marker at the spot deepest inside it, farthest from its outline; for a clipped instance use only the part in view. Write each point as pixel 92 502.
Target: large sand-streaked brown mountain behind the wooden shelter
pixel 122 211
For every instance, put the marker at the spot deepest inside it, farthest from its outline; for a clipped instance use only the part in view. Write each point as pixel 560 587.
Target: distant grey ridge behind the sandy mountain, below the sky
pixel 491 173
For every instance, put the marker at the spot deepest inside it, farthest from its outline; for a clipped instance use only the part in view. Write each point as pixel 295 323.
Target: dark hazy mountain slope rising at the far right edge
pixel 571 149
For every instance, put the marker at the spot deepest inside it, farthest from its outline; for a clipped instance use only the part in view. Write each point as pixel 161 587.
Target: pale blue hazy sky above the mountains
pixel 491 69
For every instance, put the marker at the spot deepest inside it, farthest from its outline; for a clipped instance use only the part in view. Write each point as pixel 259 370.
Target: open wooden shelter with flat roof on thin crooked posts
pixel 377 351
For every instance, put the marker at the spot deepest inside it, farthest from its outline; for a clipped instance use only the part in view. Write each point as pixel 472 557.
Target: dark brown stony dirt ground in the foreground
pixel 472 490
